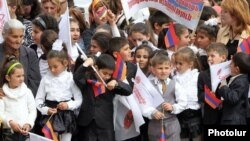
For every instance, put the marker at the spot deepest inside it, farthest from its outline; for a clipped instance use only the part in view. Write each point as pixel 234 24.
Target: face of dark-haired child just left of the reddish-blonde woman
pixel 202 40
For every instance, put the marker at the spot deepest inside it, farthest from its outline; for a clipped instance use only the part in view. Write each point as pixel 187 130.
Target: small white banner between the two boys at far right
pixel 218 73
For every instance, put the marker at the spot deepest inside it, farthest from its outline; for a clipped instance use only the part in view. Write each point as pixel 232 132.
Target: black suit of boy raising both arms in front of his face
pixel 95 120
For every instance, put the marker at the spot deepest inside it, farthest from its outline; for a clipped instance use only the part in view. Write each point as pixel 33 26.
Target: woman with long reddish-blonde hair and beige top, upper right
pixel 237 20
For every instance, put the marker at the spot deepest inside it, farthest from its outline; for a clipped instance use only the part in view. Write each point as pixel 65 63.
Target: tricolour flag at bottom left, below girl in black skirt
pixel 49 132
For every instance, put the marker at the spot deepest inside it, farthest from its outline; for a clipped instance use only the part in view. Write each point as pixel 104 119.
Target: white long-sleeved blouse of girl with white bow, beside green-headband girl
pixel 58 88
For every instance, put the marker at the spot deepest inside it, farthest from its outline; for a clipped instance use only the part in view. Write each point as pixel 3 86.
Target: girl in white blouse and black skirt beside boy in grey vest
pixel 186 86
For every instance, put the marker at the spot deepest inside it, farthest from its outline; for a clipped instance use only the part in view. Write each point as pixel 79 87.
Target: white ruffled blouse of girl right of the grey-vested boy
pixel 186 86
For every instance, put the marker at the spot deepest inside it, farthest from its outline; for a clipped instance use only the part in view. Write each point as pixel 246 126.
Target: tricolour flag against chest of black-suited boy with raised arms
pixel 97 87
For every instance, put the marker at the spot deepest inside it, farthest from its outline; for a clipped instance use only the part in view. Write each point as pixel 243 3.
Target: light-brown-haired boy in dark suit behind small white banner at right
pixel 217 53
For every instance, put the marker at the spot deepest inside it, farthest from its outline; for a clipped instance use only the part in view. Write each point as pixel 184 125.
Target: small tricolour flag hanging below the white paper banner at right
pixel 210 98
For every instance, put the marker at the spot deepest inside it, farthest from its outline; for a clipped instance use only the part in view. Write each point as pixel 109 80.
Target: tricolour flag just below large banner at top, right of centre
pixel 171 38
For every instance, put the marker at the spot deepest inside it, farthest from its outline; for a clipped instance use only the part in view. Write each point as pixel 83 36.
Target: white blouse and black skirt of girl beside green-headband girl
pixel 52 91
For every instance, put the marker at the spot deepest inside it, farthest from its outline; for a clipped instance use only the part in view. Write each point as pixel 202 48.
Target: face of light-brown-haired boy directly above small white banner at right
pixel 214 57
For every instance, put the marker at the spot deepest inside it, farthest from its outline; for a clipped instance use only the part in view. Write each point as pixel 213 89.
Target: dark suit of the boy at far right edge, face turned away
pixel 235 95
